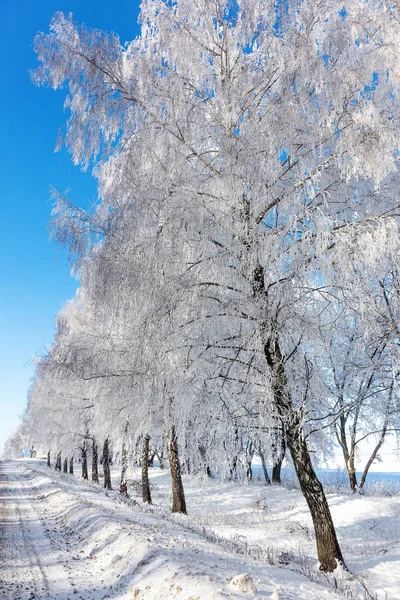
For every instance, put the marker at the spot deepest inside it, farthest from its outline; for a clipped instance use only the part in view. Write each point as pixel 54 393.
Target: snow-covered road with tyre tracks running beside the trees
pixel 33 551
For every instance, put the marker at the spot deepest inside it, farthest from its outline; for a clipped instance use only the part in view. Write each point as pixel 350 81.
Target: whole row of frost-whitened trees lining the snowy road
pixel 239 275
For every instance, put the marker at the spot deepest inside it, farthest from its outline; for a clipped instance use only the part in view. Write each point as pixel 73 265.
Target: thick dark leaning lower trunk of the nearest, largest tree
pixel 329 553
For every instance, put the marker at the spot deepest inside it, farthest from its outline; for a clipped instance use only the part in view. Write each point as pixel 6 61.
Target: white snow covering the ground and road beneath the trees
pixel 63 538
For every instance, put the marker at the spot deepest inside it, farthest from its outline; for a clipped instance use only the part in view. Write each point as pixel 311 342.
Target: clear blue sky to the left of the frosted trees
pixel 35 279
